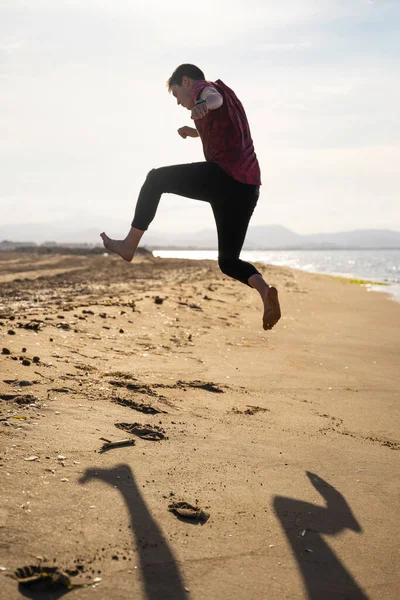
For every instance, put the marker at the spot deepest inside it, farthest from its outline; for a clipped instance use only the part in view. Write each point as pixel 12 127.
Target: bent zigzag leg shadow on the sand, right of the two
pixel 304 524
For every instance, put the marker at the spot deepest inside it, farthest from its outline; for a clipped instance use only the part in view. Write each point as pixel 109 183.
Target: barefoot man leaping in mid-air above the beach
pixel 229 179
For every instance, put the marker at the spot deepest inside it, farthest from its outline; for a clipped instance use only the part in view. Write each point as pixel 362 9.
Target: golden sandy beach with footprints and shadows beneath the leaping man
pixel 285 442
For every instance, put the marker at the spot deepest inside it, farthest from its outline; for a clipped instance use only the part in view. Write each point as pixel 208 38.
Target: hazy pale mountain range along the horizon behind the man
pixel 259 237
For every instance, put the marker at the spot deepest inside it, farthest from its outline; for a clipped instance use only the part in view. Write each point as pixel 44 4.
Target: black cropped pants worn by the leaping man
pixel 232 203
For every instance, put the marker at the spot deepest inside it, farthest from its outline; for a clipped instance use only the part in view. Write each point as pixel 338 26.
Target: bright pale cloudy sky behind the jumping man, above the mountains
pixel 85 112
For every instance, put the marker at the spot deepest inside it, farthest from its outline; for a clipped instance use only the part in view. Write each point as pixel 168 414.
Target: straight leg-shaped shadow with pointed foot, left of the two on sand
pixel 160 572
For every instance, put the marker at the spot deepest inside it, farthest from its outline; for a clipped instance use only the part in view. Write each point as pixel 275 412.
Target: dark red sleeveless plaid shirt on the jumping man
pixel 225 134
